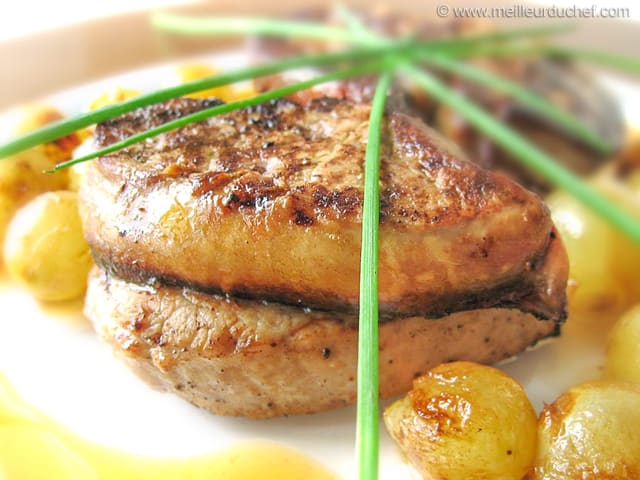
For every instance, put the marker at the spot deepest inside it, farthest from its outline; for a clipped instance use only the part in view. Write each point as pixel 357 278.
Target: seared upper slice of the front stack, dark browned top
pixel 266 203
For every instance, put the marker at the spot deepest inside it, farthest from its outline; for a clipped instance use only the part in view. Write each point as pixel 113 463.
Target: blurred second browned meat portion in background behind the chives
pixel 561 83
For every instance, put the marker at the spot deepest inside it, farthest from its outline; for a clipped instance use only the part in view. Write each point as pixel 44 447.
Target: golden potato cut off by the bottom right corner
pixel 592 431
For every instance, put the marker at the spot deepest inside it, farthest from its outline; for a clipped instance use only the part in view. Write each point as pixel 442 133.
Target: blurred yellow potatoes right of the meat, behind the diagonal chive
pixel 604 262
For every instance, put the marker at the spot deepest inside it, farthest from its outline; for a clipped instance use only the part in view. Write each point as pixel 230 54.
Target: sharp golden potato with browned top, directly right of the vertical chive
pixel 464 421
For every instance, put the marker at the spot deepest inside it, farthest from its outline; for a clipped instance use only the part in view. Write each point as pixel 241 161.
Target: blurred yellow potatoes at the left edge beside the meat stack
pixel 43 245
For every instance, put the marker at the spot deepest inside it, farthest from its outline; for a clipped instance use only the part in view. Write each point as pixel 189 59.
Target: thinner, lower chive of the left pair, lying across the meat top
pixel 225 108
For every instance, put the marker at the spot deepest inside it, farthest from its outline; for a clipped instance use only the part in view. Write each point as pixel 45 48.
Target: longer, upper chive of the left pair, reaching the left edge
pixel 67 126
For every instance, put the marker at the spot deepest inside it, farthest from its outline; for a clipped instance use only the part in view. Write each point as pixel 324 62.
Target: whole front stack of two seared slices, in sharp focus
pixel 227 255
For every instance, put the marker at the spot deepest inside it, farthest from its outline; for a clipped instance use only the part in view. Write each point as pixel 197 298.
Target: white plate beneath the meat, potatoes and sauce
pixel 57 364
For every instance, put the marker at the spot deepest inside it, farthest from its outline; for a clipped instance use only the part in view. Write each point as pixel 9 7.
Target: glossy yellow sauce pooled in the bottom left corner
pixel 35 447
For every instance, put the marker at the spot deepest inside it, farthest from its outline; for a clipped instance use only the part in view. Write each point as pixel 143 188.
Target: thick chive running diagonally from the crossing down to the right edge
pixel 526 152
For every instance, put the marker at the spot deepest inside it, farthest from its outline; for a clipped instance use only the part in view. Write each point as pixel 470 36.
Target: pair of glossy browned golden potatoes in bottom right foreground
pixel 473 422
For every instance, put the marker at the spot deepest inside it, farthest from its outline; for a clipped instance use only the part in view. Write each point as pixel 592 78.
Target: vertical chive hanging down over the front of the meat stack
pixel 367 435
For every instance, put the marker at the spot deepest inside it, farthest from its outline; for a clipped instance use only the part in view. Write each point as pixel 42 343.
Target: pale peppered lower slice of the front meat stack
pixel 248 358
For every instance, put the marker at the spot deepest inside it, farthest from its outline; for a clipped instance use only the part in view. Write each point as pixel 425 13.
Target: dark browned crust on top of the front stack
pixel 319 151
